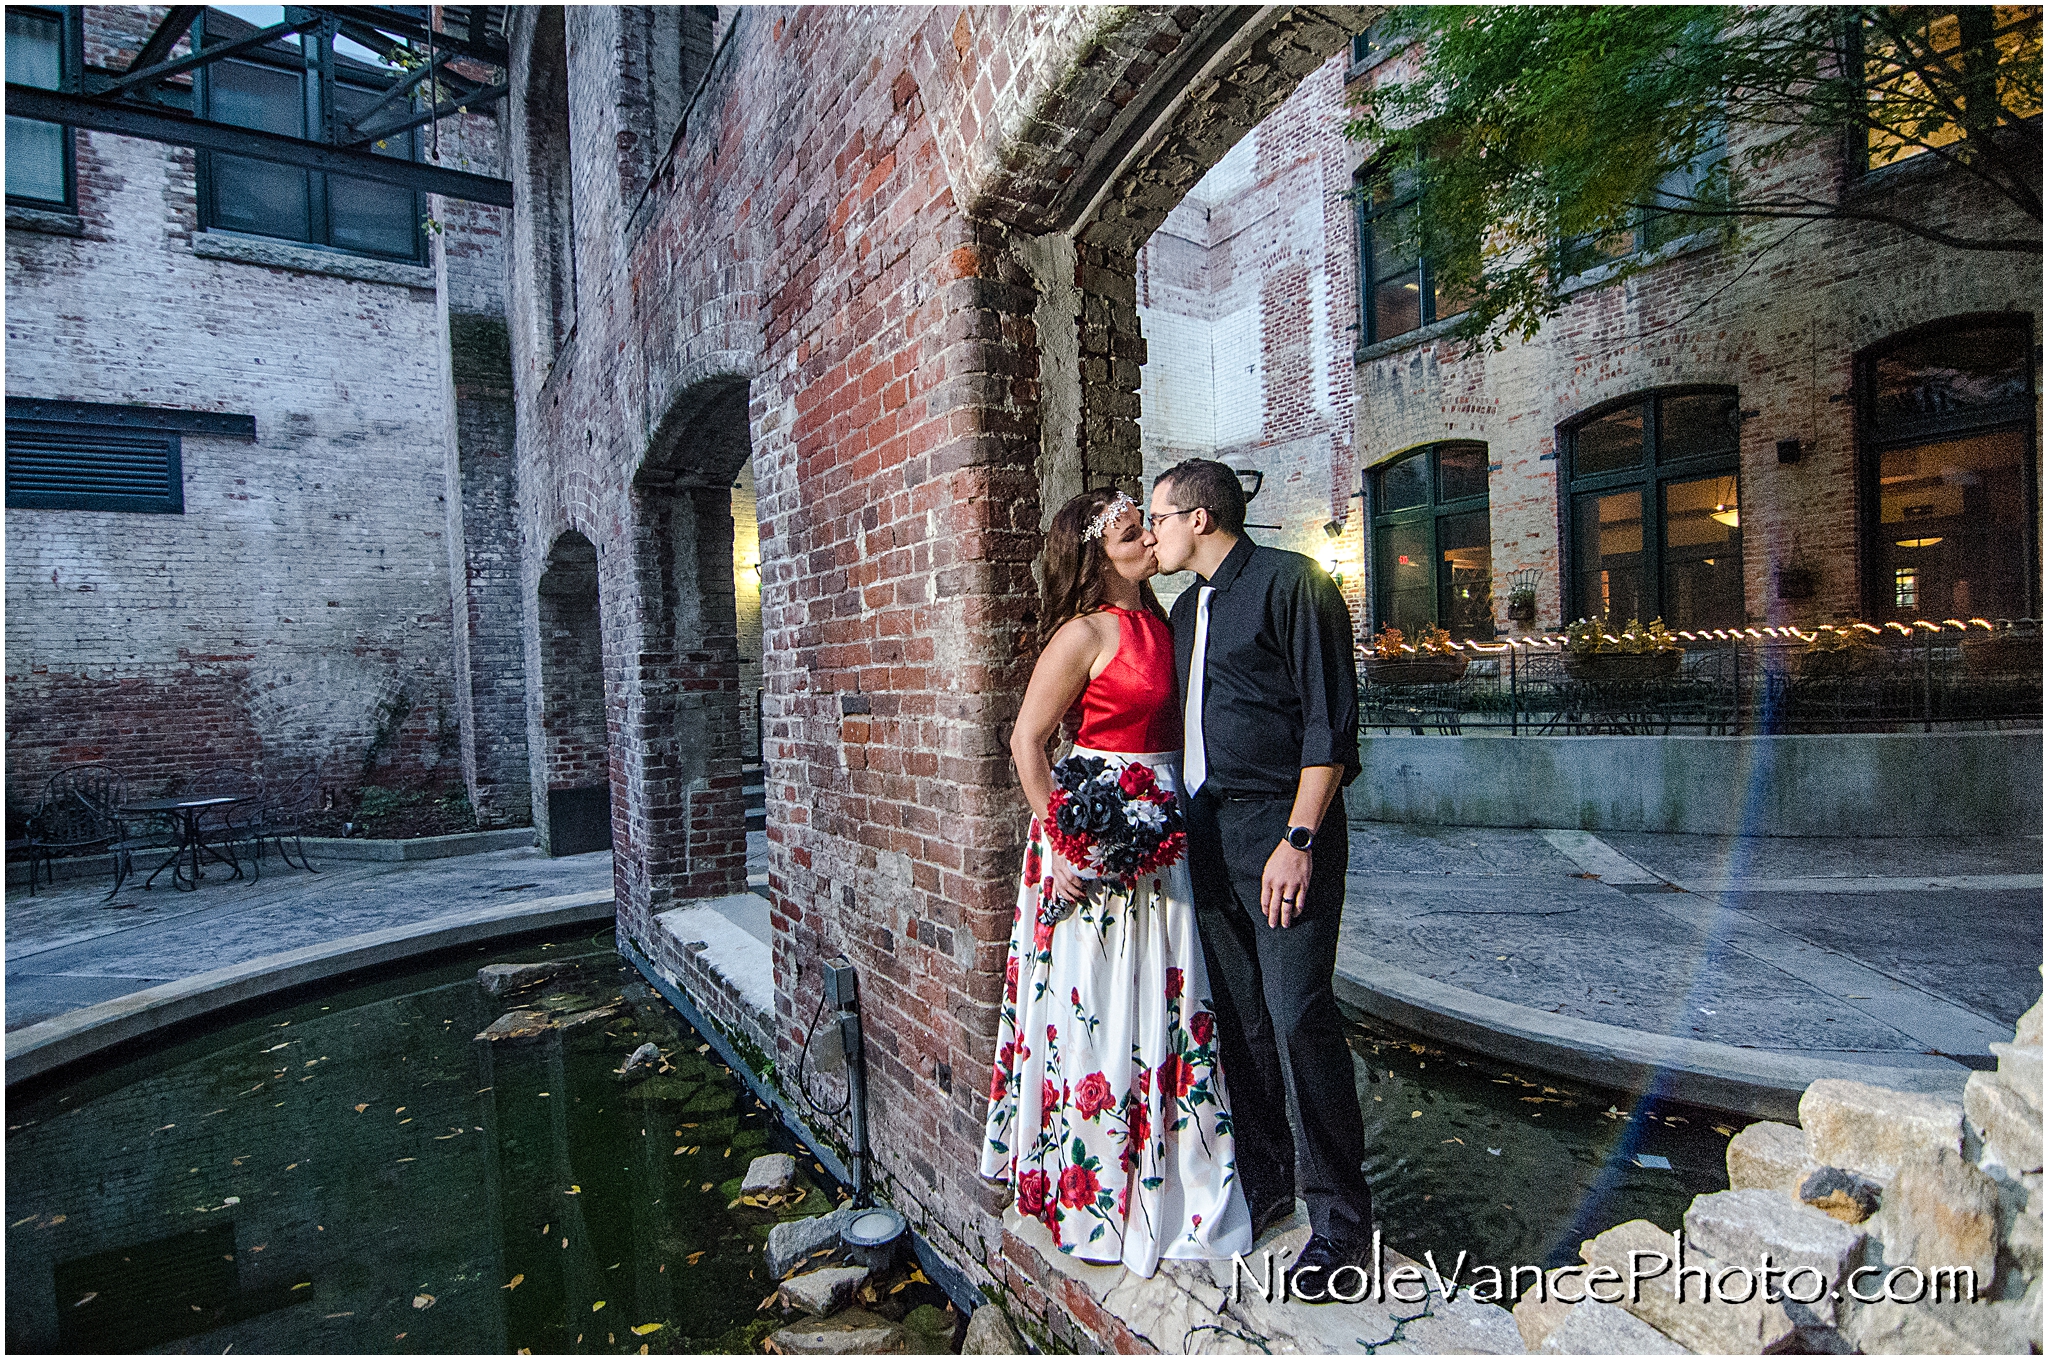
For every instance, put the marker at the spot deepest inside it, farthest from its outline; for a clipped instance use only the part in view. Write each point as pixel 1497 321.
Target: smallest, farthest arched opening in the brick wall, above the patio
pixel 572 808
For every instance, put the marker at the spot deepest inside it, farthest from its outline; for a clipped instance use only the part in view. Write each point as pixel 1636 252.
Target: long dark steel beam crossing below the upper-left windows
pixel 155 126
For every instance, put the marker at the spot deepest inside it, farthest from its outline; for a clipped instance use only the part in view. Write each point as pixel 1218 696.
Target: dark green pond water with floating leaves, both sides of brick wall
pixel 355 1173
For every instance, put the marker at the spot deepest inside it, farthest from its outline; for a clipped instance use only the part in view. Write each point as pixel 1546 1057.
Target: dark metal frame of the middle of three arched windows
pixel 1648 478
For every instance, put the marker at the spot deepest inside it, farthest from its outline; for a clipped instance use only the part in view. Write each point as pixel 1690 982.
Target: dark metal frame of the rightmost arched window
pixel 1873 441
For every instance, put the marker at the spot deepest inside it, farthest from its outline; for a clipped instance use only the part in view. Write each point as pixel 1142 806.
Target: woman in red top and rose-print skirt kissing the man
pixel 1109 1111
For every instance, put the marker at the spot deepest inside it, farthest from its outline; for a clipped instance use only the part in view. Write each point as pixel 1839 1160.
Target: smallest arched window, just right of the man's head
pixel 1433 548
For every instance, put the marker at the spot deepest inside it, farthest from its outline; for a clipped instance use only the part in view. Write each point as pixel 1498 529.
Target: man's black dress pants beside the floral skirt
pixel 1277 1015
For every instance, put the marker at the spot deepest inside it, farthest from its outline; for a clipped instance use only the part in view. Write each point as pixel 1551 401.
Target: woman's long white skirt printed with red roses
pixel 1109 1111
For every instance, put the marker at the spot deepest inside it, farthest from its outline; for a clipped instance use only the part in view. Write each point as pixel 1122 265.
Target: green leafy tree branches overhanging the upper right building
pixel 1539 128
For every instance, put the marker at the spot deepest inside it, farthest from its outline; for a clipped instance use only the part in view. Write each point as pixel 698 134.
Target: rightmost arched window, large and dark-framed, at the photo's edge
pixel 1951 519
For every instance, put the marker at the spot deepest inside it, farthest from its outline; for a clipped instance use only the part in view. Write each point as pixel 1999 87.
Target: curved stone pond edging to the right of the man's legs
pixel 1719 1076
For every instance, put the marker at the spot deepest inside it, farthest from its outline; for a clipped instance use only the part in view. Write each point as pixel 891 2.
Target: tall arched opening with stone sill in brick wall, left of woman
pixel 685 749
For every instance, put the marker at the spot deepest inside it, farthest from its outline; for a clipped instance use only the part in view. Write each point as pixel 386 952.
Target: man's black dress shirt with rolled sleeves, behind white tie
pixel 1281 687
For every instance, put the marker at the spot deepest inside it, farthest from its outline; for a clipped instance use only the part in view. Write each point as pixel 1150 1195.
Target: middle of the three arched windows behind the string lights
pixel 1652 523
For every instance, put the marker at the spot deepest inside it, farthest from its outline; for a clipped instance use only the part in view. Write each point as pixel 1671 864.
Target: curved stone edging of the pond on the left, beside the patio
pixel 42 1048
